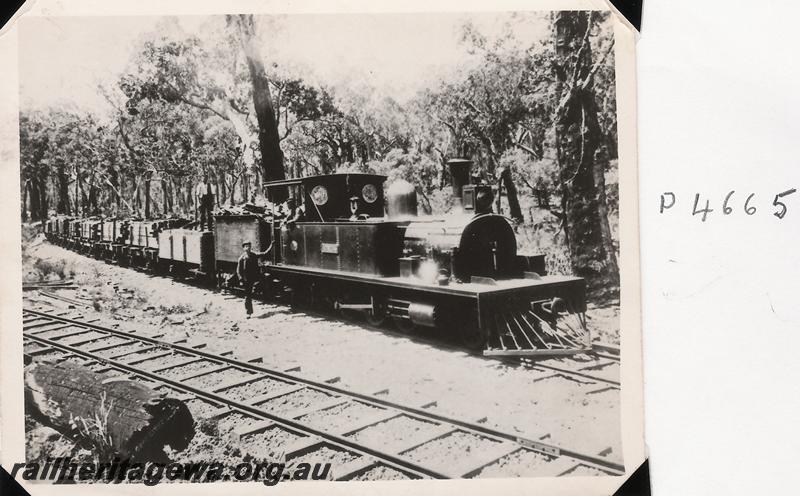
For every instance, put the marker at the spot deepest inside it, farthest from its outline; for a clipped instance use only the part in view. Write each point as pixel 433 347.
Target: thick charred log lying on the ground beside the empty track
pixel 116 417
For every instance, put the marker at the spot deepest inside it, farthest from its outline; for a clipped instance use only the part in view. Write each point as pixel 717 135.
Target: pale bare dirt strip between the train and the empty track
pixel 512 398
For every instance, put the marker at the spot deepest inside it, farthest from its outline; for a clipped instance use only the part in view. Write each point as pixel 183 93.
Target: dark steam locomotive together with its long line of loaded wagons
pixel 363 250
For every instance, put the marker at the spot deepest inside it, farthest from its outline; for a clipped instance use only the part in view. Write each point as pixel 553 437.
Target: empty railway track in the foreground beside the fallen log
pixel 364 434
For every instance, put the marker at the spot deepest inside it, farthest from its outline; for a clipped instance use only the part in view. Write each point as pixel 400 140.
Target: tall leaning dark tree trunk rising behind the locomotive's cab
pixel 268 139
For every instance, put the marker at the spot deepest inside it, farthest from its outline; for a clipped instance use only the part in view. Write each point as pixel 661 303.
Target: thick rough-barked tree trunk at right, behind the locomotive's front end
pixel 576 142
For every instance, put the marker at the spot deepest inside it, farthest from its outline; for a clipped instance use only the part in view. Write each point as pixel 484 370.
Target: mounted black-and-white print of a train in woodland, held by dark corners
pixel 326 246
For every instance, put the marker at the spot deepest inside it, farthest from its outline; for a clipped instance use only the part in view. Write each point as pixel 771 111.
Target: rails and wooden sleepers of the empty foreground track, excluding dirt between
pixel 560 461
